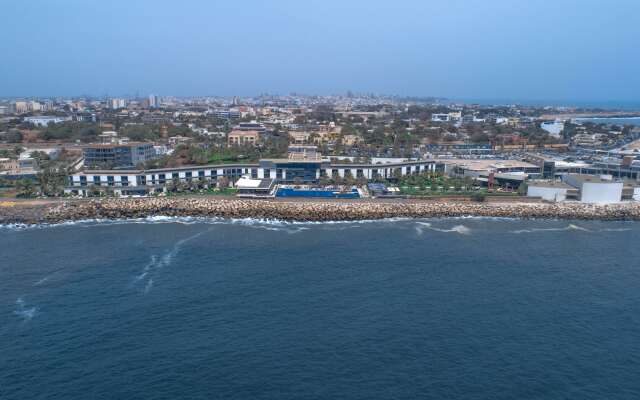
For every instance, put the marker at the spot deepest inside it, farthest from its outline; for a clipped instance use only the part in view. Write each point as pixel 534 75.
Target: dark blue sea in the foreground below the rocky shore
pixel 209 309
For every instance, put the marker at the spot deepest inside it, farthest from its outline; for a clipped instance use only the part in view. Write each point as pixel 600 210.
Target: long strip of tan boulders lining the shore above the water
pixel 302 210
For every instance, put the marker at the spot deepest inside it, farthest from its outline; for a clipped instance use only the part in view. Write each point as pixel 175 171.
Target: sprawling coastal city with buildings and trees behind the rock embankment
pixel 296 146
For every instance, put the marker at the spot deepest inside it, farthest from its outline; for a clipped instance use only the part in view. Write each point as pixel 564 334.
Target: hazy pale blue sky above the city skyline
pixel 491 49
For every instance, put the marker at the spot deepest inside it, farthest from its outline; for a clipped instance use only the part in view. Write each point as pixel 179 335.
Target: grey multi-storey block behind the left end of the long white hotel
pixel 115 156
